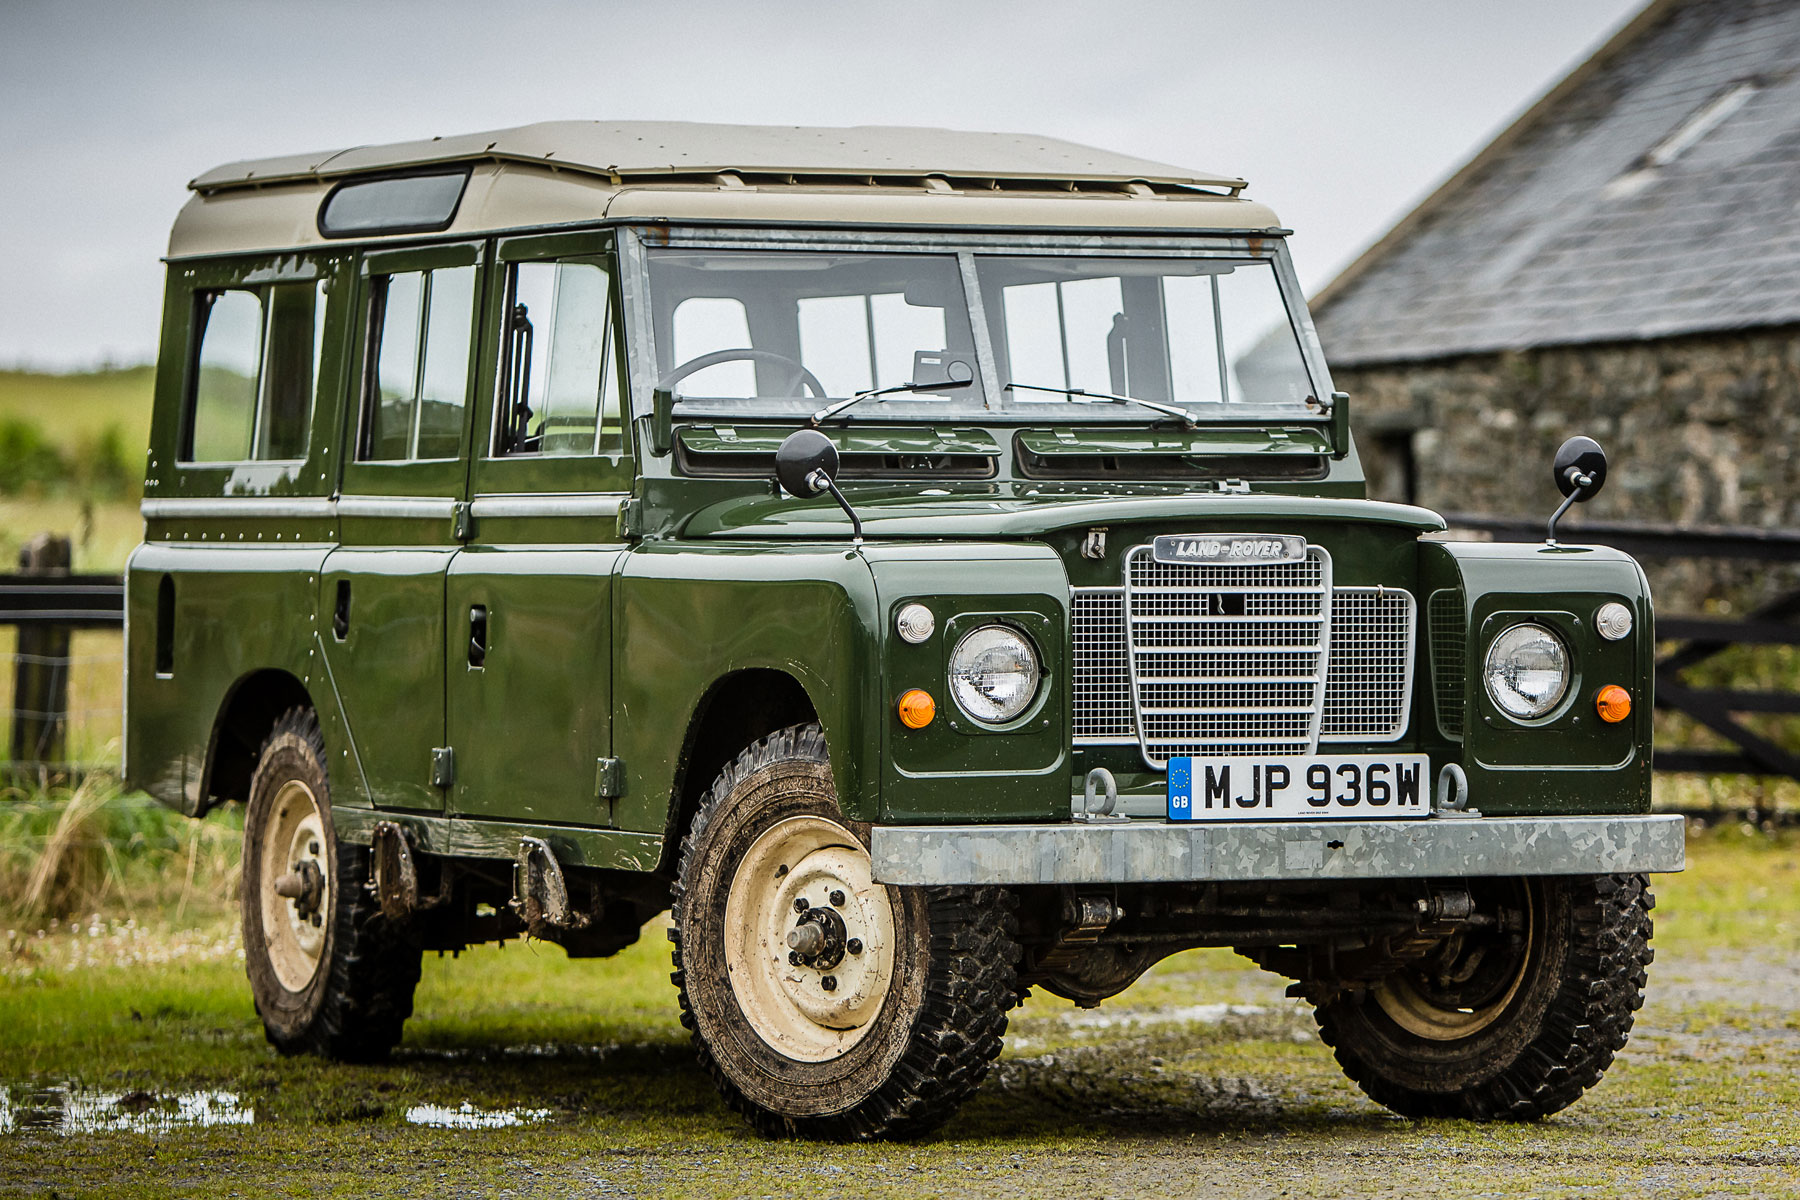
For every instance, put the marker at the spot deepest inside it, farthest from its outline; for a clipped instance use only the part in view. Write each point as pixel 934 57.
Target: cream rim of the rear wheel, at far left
pixel 294 927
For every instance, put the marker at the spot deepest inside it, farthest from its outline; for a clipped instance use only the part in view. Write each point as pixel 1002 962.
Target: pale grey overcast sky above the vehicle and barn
pixel 1342 114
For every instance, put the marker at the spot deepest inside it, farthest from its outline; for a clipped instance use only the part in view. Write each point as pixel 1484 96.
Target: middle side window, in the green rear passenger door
pixel 417 379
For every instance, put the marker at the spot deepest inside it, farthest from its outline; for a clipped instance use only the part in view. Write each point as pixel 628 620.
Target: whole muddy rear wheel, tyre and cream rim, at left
pixel 330 976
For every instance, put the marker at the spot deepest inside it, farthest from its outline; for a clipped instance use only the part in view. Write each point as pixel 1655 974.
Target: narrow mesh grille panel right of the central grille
pixel 1371 681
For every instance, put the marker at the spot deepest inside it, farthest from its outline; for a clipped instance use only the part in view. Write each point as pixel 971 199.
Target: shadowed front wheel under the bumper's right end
pixel 1511 1030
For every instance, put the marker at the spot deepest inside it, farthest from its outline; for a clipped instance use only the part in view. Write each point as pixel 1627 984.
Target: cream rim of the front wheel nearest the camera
pixel 809 873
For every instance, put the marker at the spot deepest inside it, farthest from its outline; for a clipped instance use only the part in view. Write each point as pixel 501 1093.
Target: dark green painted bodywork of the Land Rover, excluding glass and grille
pixel 625 596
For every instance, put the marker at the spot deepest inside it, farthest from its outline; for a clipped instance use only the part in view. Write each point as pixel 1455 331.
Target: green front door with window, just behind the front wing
pixel 530 602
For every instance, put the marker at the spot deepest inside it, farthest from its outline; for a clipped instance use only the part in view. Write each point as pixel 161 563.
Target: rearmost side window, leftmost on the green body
pixel 256 373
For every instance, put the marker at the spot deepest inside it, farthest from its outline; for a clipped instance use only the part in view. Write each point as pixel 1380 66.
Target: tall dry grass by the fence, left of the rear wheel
pixel 91 848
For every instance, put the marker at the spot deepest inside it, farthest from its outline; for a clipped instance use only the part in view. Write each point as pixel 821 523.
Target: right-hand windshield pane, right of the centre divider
pixel 1182 332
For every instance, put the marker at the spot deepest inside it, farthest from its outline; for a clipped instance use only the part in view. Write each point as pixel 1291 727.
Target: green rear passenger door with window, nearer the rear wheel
pixel 406 476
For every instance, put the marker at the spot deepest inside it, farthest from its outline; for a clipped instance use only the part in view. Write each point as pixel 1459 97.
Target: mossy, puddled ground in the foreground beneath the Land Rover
pixel 132 1064
